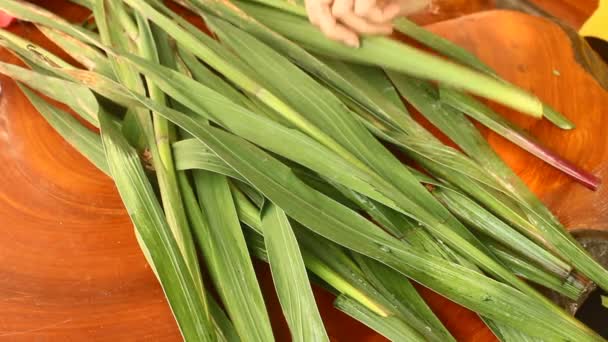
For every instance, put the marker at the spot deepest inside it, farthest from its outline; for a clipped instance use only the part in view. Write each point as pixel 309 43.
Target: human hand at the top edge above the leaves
pixel 345 20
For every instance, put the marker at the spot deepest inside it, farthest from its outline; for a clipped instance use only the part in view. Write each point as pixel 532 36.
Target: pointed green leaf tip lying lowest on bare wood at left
pixel 85 141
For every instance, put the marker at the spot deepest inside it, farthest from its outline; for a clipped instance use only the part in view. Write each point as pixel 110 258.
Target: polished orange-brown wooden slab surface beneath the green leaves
pixel 71 270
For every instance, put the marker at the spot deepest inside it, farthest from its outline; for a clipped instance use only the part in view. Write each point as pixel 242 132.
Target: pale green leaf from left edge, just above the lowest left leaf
pixel 80 98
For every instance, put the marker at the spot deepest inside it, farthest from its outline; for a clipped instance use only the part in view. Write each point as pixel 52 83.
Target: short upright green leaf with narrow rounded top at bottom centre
pixel 289 274
